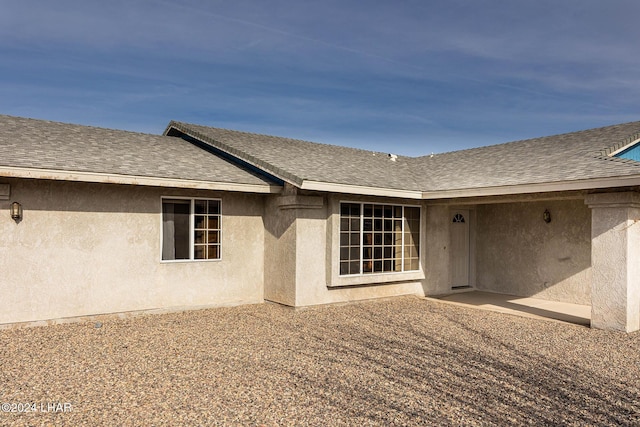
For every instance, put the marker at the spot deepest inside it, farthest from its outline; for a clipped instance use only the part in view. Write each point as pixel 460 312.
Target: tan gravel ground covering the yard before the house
pixel 403 361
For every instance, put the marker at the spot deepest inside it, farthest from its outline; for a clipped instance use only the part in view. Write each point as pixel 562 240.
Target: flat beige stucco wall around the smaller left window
pixel 85 249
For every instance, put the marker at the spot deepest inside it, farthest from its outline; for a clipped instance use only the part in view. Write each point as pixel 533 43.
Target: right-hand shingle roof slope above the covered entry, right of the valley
pixel 567 157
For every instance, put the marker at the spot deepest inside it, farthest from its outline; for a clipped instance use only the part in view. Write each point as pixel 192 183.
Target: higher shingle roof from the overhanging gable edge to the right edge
pixel 560 158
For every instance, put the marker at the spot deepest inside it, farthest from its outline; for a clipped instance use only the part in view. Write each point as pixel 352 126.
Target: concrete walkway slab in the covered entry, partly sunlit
pixel 521 306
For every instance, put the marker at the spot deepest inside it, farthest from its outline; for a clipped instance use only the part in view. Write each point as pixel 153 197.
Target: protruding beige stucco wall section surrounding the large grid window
pixel 303 254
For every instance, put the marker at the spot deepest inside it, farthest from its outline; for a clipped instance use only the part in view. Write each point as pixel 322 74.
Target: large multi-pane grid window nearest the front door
pixel 378 238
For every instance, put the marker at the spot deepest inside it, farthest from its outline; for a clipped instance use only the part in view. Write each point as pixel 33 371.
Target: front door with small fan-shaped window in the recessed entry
pixel 459 258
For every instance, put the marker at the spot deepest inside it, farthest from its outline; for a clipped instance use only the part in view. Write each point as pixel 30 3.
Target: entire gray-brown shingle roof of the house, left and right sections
pixel 583 155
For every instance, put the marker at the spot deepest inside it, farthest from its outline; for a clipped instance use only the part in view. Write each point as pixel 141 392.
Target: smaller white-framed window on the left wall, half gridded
pixel 190 229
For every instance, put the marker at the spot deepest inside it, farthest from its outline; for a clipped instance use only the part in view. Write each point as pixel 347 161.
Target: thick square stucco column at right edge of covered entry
pixel 615 260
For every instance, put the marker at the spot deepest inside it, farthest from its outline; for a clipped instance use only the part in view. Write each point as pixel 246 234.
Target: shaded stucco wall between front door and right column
pixel 518 253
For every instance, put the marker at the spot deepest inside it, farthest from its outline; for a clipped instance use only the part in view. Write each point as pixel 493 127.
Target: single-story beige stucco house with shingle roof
pixel 97 221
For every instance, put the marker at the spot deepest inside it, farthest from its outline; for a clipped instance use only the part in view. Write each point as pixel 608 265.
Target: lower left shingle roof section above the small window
pixel 40 144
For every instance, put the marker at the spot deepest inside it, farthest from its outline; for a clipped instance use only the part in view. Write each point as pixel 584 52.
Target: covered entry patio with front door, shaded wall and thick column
pixel 569 256
